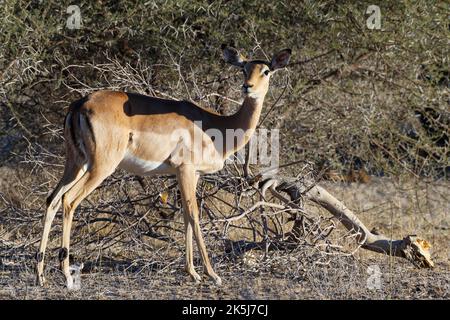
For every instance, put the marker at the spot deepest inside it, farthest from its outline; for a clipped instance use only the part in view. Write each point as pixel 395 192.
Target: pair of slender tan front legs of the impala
pixel 187 180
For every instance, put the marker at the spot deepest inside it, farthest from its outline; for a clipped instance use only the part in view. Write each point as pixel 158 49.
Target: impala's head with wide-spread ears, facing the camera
pixel 256 72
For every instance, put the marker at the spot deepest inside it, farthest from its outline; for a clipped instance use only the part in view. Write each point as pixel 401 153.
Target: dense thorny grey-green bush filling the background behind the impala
pixel 356 98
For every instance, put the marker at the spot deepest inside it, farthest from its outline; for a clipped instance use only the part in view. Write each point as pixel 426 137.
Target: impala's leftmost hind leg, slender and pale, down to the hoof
pixel 72 173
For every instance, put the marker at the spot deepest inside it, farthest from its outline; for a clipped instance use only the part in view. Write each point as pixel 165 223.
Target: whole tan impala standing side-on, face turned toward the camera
pixel 146 135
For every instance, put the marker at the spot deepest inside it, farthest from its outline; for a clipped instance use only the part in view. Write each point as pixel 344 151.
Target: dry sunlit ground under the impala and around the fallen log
pixel 393 207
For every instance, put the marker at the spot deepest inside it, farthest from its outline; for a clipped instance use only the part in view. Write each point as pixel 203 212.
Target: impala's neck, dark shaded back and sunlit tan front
pixel 242 124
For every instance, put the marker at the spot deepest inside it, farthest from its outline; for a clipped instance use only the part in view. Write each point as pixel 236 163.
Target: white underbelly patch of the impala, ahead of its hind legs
pixel 139 166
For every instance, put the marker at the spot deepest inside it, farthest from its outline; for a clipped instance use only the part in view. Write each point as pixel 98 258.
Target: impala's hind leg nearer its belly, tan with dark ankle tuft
pixel 71 200
